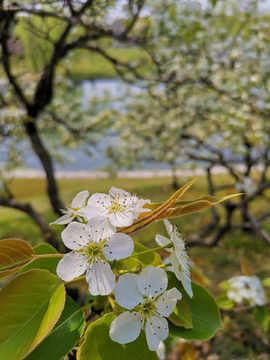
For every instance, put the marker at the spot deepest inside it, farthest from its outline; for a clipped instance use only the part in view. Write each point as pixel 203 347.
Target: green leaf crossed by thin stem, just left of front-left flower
pixel 49 263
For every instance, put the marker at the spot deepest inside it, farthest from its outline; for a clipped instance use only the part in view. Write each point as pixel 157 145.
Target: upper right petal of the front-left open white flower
pixel 99 228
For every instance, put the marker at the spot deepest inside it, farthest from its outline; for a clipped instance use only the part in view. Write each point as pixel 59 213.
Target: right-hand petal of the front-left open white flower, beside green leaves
pixel 119 246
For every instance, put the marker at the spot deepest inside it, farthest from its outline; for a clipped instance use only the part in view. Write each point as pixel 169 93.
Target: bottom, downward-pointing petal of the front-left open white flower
pixel 100 277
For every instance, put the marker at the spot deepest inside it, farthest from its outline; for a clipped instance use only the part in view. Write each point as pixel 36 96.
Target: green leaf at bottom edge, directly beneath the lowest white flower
pixel 99 346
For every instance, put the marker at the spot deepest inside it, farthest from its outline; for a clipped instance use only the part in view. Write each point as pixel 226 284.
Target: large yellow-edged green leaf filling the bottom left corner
pixel 30 306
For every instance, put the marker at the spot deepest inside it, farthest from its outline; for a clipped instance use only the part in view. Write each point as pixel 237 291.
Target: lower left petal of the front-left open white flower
pixel 71 266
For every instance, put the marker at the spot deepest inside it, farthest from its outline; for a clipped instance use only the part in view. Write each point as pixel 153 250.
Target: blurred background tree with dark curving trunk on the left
pixel 56 29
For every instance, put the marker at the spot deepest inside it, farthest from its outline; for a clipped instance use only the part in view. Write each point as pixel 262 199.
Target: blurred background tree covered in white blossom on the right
pixel 207 104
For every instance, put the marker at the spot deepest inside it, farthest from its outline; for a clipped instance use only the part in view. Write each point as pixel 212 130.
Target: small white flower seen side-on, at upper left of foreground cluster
pixel 73 210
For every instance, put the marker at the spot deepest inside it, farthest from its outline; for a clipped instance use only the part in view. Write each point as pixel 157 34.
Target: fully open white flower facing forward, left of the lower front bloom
pixel 93 246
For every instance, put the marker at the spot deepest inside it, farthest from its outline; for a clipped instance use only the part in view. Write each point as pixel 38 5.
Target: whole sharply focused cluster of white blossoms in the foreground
pixel 96 244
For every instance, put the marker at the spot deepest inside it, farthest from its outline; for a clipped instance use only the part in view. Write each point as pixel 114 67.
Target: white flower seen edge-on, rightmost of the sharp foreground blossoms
pixel 179 256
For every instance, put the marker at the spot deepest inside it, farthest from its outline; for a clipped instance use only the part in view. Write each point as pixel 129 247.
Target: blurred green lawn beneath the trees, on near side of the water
pixel 243 338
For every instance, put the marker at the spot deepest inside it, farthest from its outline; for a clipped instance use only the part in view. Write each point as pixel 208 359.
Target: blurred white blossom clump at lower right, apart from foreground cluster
pixel 247 288
